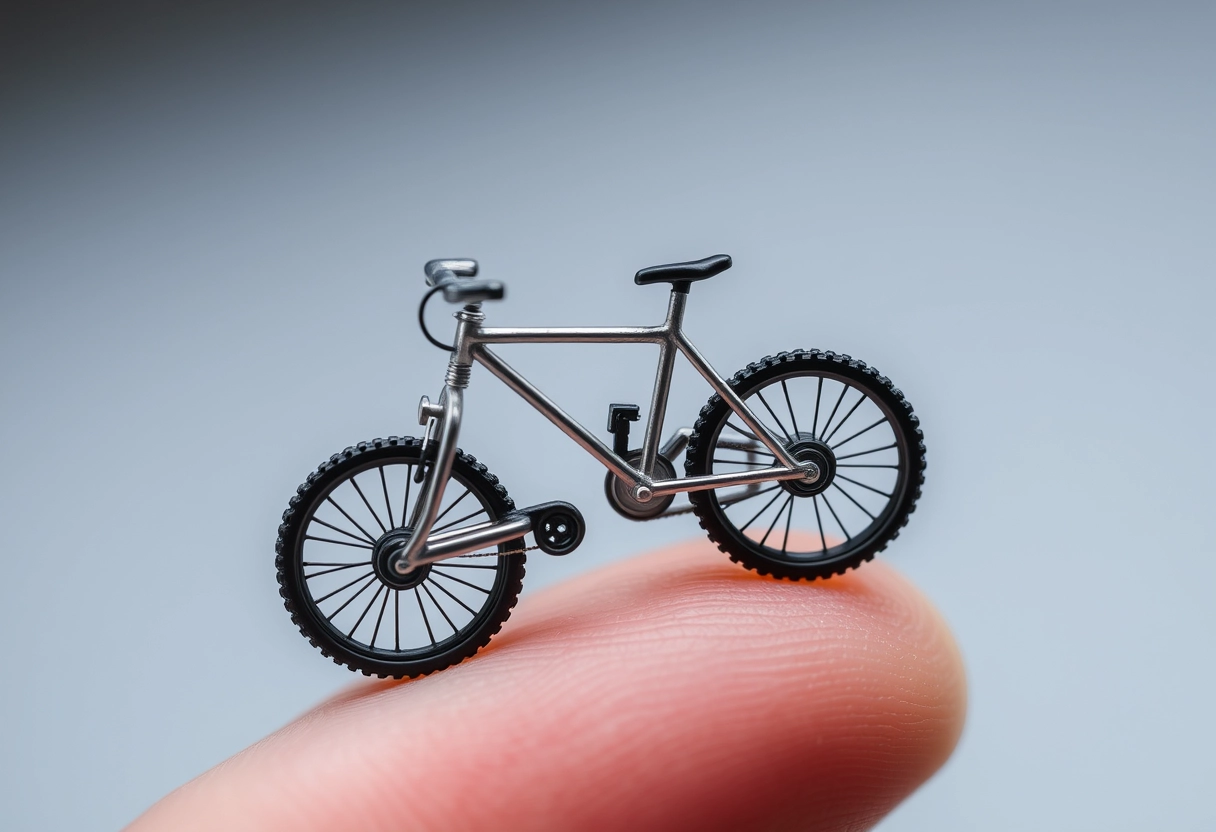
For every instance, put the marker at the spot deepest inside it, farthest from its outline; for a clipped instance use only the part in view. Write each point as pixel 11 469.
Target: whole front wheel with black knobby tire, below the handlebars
pixel 345 511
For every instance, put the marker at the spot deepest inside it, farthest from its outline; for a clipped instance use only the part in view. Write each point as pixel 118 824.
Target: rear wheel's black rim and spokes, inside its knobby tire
pixel 851 432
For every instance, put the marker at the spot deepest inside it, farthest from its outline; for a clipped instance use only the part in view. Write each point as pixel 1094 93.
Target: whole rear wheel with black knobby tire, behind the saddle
pixel 876 490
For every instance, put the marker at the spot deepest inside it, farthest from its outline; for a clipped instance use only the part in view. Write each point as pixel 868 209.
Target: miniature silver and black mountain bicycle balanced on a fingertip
pixel 399 587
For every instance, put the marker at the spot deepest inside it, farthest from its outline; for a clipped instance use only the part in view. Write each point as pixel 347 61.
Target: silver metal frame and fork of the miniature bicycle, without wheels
pixel 472 345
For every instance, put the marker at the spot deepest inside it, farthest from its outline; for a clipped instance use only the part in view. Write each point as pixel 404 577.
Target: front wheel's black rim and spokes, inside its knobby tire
pixel 341 560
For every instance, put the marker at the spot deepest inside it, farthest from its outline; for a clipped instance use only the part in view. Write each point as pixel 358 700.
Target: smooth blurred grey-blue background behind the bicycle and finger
pixel 213 222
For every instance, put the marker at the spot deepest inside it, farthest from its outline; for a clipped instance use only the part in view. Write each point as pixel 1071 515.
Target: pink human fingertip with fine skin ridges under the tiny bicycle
pixel 671 692
